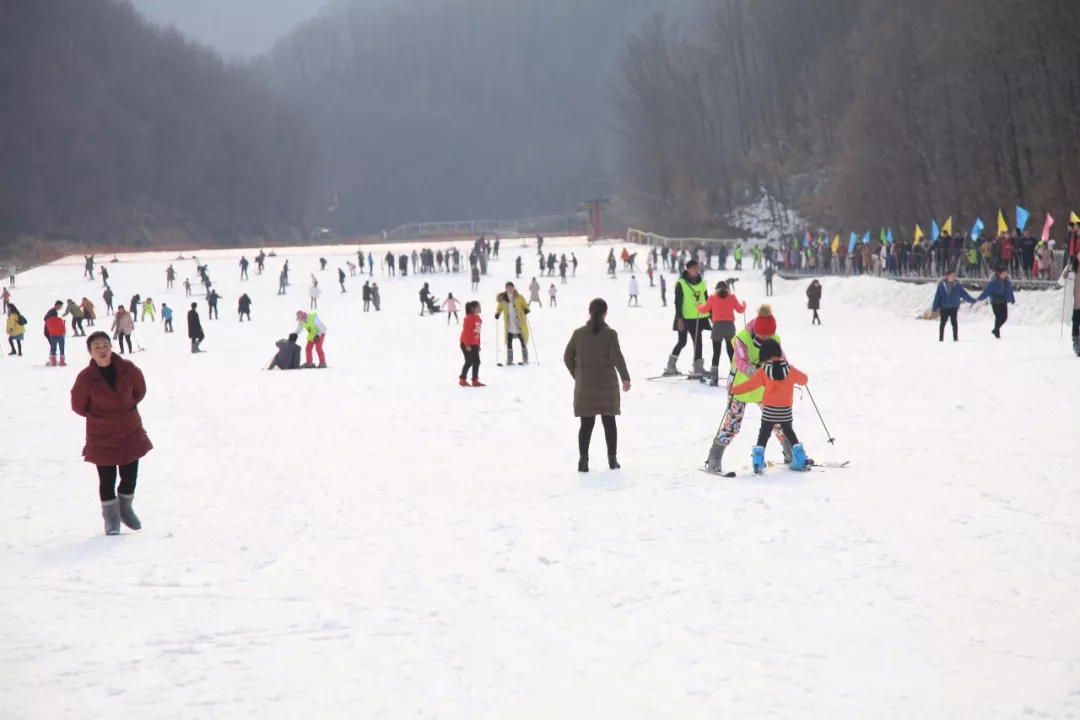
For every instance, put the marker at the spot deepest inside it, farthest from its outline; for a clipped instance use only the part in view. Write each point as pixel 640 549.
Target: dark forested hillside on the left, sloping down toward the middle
pixel 116 132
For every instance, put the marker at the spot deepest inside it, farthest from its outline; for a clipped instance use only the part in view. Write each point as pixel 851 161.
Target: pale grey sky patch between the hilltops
pixel 235 28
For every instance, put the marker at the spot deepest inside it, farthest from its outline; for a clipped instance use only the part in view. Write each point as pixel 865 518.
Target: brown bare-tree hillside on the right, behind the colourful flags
pixel 894 112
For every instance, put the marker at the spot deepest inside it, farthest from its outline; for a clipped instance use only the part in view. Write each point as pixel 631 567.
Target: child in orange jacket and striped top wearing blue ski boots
pixel 779 381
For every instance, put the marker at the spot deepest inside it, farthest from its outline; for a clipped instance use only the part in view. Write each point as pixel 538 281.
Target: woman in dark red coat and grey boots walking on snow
pixel 107 395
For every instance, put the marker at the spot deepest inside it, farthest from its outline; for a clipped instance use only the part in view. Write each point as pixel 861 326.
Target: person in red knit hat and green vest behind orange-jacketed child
pixel 746 363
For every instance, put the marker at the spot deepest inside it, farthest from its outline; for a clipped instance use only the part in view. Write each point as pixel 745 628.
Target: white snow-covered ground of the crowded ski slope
pixel 373 541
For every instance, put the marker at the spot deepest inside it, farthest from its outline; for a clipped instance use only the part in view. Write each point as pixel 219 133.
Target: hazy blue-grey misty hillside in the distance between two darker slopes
pixel 435 111
